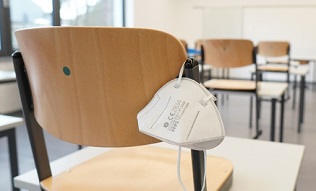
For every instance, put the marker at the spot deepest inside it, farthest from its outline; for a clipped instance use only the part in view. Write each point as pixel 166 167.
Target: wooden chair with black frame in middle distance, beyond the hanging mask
pixel 228 54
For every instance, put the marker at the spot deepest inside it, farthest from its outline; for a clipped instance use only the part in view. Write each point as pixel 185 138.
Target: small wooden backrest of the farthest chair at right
pixel 273 48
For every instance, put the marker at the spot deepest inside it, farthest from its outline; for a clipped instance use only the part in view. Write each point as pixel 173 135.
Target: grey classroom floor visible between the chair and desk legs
pixel 235 114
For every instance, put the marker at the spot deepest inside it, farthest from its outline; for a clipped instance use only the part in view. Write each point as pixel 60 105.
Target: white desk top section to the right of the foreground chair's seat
pixel 261 165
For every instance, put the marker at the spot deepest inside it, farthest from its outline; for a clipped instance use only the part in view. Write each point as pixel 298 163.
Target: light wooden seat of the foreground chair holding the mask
pixel 139 168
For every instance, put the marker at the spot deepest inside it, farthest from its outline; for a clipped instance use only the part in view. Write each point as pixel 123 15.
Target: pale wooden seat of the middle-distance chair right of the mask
pixel 224 84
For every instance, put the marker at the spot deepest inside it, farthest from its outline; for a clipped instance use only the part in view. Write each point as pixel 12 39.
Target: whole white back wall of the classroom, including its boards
pixel 195 19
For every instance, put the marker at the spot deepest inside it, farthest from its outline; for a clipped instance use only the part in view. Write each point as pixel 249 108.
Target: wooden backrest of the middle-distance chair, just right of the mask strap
pixel 228 53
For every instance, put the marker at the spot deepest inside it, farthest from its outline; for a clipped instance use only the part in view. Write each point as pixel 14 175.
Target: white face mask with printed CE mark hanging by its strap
pixel 183 113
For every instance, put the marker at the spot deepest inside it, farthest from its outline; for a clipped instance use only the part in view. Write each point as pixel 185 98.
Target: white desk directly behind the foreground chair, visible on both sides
pixel 258 165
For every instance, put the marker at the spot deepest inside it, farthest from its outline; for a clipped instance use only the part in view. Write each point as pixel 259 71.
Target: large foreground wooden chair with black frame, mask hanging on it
pixel 85 85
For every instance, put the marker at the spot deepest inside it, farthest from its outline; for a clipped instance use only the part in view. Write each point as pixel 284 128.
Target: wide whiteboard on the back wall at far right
pixel 293 24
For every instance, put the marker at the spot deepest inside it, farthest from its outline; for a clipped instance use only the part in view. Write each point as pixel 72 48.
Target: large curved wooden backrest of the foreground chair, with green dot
pixel 89 83
